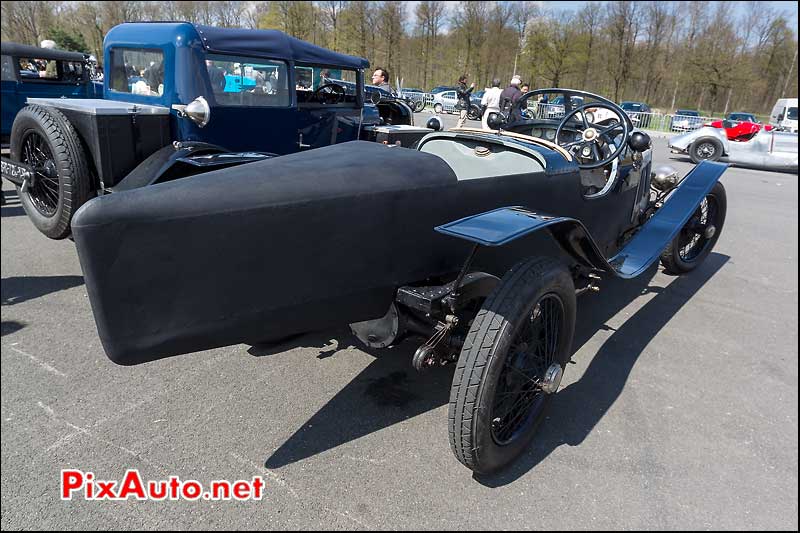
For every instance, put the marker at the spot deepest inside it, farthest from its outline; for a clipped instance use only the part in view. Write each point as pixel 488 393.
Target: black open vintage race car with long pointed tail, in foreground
pixel 476 241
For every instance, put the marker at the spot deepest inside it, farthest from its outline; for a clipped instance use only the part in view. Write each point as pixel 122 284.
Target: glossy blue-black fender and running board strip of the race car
pixel 503 225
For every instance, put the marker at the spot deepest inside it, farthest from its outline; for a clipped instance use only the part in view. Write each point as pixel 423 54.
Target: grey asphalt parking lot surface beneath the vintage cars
pixel 680 411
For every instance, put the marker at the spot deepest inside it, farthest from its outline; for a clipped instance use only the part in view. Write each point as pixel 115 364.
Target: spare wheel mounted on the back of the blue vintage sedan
pixel 63 181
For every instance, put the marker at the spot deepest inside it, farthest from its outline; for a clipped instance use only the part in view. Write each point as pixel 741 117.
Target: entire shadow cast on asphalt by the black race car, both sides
pixel 389 391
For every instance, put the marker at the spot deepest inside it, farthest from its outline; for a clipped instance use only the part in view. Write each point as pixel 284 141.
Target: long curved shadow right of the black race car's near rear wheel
pixel 578 408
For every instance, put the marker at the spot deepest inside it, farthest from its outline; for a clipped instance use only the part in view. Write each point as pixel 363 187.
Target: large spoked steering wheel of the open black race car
pixel 594 137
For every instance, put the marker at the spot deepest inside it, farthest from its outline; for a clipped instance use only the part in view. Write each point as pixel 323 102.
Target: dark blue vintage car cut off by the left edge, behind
pixel 29 71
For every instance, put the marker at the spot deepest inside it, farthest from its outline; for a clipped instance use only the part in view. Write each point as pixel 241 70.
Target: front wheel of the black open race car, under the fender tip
pixel 693 244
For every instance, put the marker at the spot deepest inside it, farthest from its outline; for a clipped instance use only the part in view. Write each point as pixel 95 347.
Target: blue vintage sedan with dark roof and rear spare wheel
pixel 175 95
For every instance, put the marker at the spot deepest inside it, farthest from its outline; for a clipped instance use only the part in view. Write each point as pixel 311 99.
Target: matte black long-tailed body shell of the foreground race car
pixel 291 244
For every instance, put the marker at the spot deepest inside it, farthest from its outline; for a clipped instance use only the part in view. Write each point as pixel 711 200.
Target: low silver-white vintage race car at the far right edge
pixel 774 150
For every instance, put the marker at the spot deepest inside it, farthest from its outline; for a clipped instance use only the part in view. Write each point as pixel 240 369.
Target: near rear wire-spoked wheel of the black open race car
pixel 477 439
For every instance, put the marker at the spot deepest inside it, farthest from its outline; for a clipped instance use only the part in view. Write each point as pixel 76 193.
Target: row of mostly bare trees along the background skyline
pixel 711 56
